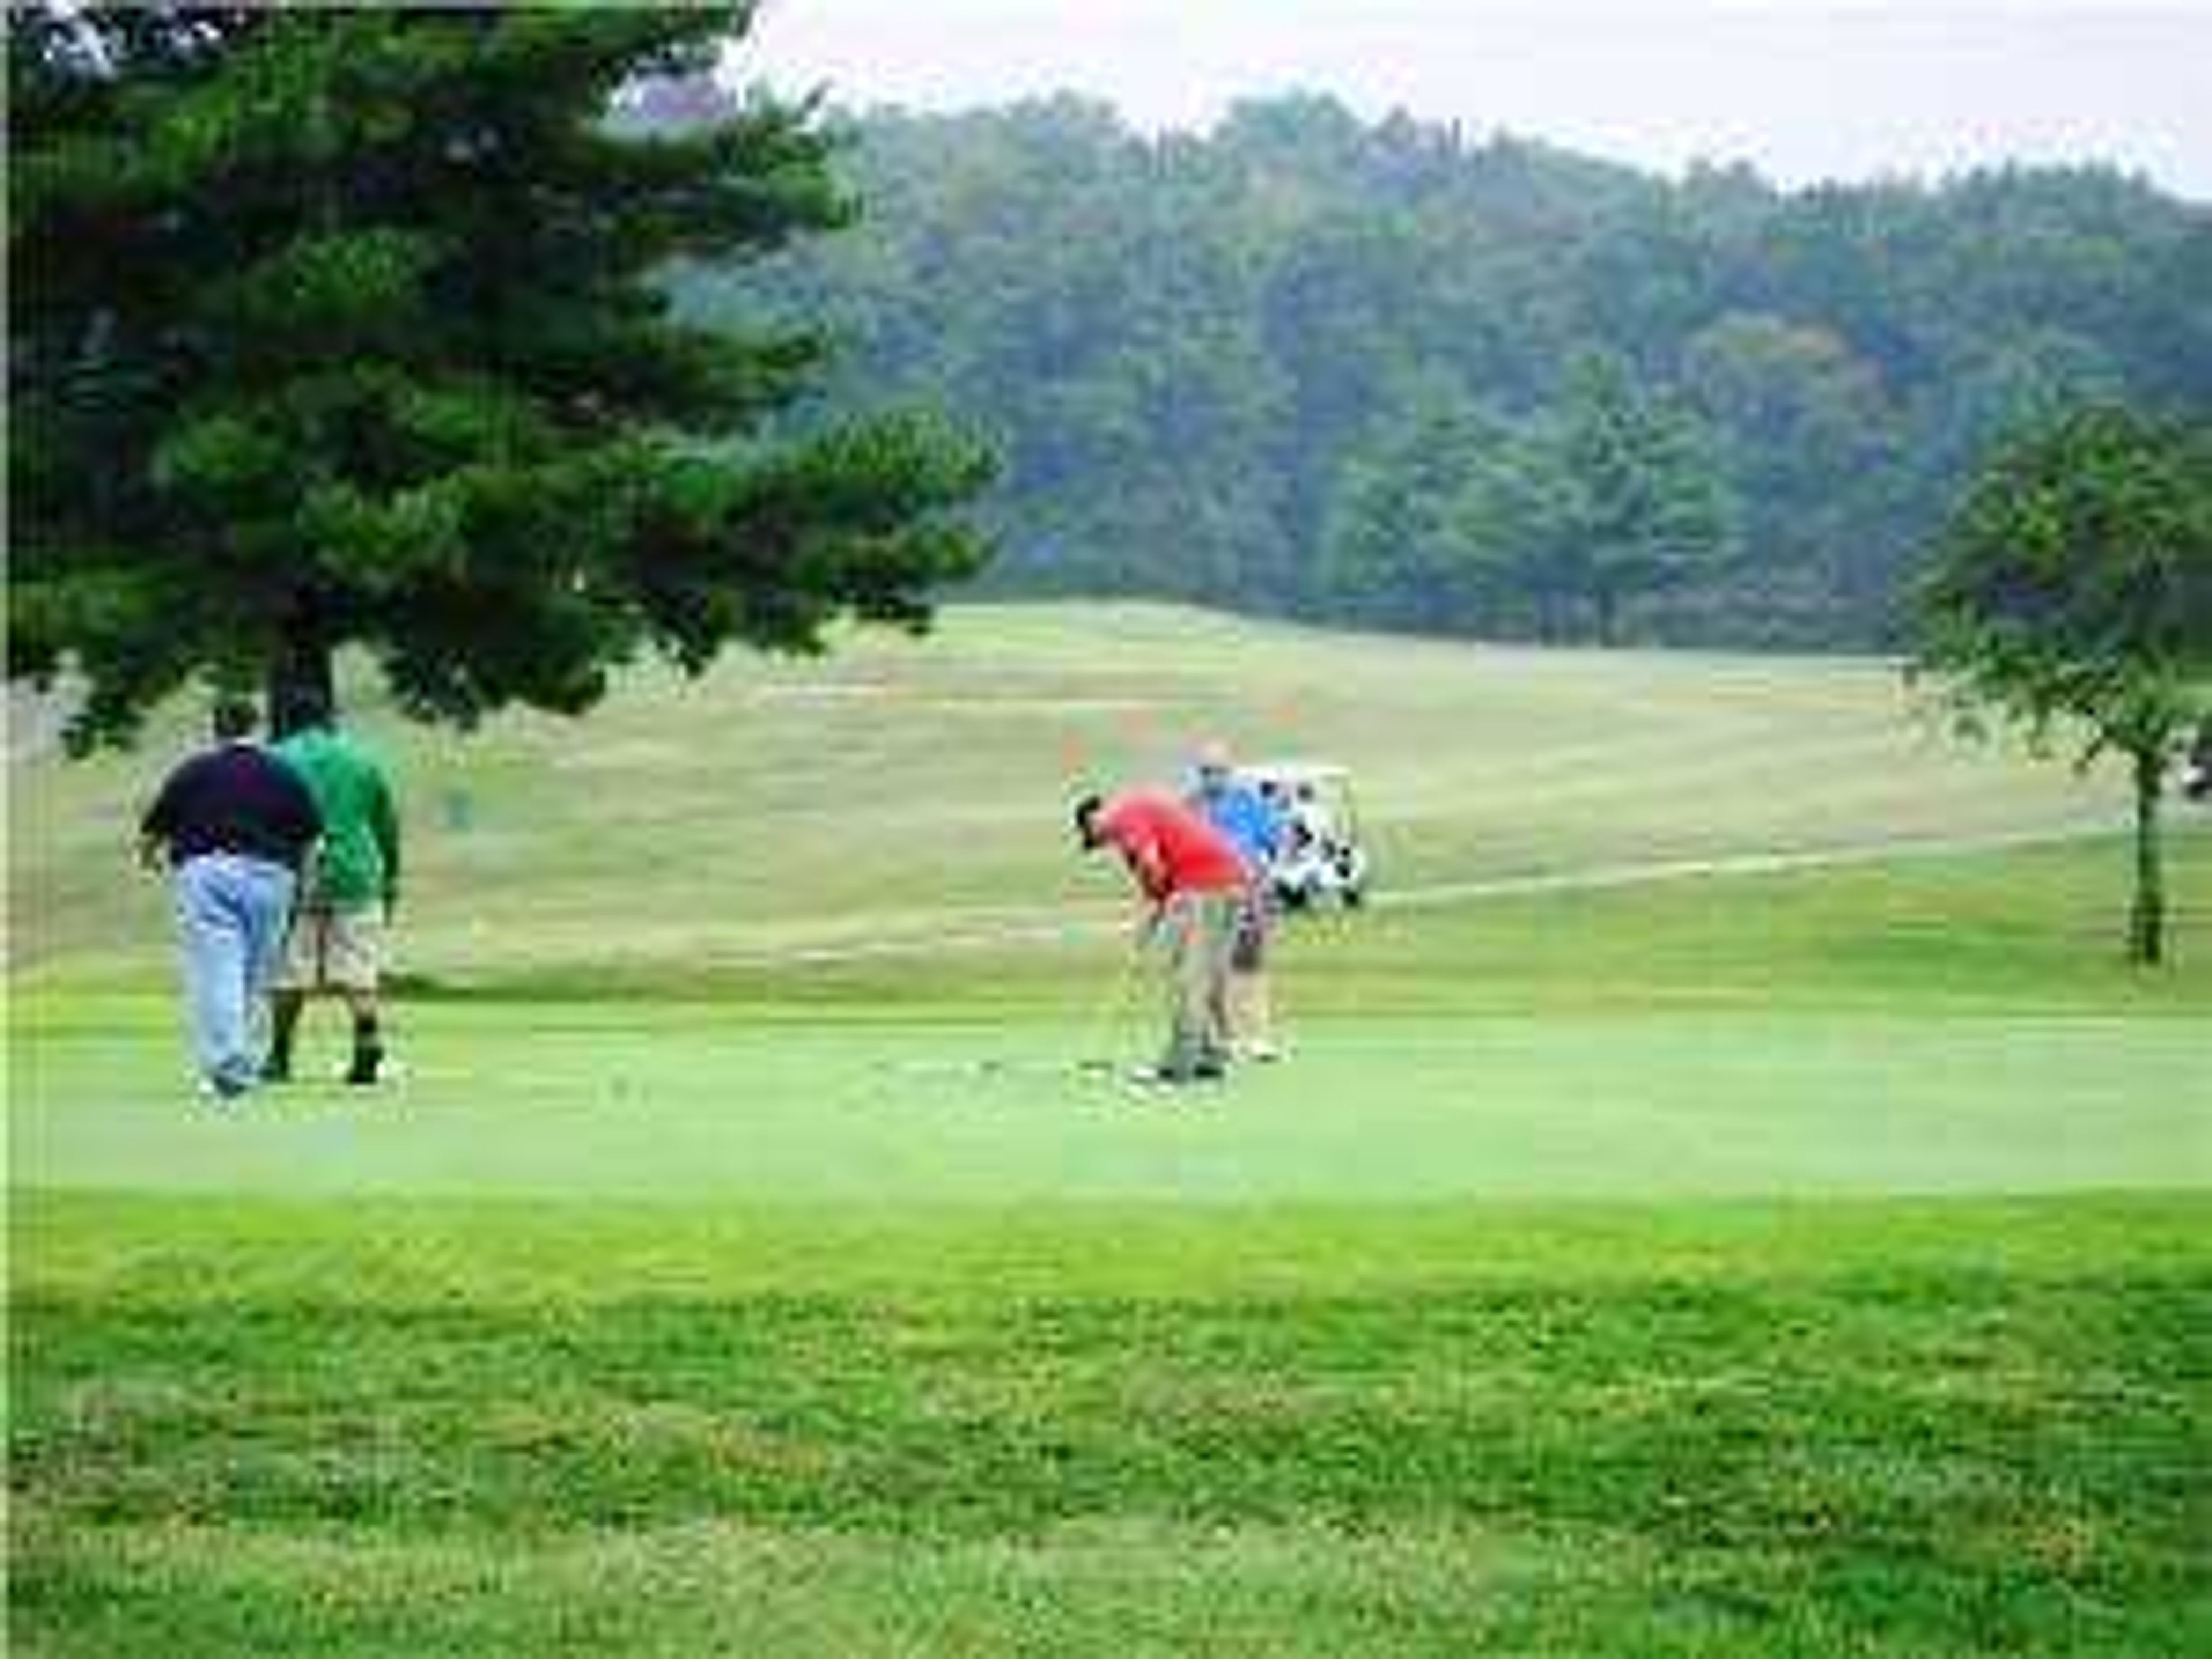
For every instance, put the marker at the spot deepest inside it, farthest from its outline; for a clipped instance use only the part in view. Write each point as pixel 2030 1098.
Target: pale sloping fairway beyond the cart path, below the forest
pixel 901 789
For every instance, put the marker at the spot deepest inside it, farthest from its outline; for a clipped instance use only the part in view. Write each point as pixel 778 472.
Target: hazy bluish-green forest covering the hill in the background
pixel 1388 375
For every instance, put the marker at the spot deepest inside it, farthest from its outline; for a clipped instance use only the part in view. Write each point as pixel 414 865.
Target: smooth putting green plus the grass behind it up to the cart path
pixel 1932 1027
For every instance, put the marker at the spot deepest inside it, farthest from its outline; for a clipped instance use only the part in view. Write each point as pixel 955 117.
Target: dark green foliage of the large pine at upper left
pixel 353 328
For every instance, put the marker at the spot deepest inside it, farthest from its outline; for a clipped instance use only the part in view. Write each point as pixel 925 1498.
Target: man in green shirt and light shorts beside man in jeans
pixel 337 937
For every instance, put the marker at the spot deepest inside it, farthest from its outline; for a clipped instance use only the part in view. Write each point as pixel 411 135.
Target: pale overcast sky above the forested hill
pixel 1841 90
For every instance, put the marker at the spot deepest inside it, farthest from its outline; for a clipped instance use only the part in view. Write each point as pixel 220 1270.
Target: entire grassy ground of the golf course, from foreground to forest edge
pixel 1802 1264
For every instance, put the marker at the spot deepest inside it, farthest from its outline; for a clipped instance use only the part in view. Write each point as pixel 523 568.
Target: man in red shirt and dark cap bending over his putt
pixel 1196 881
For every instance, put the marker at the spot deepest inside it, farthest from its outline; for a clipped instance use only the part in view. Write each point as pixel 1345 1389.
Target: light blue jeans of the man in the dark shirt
pixel 231 919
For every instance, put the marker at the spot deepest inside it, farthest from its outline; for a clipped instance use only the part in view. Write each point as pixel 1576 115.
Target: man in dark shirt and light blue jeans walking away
pixel 233 826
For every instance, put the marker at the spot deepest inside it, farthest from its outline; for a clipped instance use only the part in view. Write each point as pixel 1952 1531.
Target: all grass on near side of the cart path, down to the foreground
pixel 786 1339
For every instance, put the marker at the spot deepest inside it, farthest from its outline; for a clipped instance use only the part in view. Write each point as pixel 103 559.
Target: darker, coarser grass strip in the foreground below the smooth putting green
pixel 1753 1430
